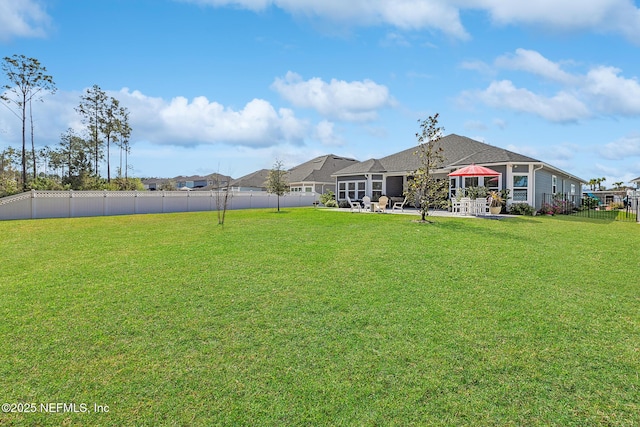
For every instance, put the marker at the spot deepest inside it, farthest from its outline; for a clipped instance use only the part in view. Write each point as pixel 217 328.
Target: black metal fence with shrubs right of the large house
pixel 625 209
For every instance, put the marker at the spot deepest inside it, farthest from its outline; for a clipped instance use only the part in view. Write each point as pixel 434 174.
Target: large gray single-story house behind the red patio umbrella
pixel 529 180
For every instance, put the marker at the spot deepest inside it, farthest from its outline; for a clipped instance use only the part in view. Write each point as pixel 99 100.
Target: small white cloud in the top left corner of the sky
pixel 24 18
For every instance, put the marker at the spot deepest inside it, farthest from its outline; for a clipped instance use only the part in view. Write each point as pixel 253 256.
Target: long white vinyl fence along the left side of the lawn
pixel 68 204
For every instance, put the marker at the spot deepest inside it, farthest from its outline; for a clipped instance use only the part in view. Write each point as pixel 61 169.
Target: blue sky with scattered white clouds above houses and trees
pixel 233 85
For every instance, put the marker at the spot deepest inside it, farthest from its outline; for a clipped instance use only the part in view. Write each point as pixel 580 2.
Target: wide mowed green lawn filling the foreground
pixel 311 317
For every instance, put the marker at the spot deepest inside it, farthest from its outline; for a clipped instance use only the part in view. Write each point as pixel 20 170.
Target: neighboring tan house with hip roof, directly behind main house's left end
pixel 316 174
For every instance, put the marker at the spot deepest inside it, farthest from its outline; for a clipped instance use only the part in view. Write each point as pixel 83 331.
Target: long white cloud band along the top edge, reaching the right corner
pixel 603 16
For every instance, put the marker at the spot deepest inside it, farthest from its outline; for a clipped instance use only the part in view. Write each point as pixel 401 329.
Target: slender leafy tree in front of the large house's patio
pixel 423 187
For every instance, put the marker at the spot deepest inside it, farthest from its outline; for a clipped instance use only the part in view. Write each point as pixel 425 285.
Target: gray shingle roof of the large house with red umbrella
pixel 458 151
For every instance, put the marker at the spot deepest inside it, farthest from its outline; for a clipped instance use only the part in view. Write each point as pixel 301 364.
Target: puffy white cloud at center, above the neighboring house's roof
pixel 349 101
